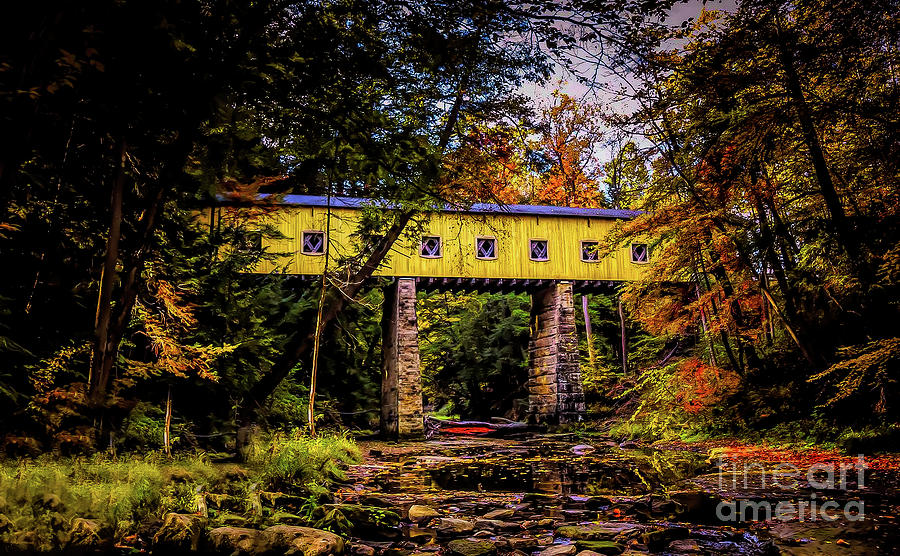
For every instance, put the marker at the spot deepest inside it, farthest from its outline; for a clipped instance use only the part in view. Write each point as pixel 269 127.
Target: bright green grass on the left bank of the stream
pixel 44 495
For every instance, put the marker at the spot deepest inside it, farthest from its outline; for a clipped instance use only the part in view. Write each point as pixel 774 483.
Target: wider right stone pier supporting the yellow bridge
pixel 555 395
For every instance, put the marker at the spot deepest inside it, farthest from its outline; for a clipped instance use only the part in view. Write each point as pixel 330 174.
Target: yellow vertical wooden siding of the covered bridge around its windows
pixel 458 232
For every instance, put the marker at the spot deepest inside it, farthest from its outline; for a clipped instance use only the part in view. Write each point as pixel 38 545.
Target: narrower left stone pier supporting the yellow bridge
pixel 401 384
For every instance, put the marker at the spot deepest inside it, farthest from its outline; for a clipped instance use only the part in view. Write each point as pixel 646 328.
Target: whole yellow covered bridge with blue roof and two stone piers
pixel 550 252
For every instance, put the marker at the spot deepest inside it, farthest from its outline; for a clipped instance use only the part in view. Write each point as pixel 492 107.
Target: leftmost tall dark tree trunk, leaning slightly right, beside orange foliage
pixel 101 362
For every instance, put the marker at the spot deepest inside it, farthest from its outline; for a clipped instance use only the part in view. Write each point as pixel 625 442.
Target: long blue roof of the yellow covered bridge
pixel 533 210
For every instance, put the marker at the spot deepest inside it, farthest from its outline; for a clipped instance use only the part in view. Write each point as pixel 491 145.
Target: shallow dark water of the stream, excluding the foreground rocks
pixel 560 481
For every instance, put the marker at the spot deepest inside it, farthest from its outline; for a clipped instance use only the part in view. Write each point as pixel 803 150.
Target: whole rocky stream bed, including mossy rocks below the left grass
pixel 537 495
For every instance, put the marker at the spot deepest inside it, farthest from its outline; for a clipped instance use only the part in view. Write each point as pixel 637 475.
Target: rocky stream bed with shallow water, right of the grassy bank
pixel 553 495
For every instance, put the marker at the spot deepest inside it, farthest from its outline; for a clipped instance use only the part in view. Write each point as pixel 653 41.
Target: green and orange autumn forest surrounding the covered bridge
pixel 761 145
